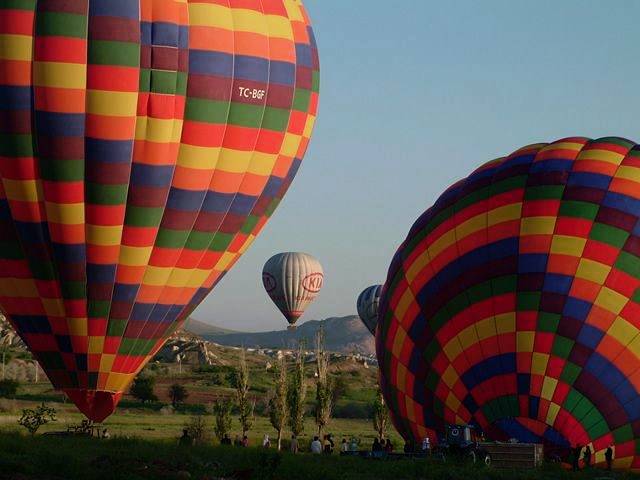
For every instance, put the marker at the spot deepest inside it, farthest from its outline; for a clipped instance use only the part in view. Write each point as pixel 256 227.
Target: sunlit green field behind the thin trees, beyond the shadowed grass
pixel 205 384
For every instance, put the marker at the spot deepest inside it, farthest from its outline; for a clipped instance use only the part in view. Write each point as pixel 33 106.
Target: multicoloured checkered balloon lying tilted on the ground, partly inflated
pixel 514 303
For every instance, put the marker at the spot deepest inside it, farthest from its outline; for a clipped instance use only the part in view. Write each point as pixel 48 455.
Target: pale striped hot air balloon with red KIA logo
pixel 292 280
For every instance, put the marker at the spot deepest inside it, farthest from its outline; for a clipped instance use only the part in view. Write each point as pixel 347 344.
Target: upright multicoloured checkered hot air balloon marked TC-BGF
pixel 143 146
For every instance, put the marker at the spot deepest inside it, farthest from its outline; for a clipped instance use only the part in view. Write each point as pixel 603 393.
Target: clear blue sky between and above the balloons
pixel 414 94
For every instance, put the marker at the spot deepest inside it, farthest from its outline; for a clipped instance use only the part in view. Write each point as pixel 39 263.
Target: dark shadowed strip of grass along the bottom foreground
pixel 49 458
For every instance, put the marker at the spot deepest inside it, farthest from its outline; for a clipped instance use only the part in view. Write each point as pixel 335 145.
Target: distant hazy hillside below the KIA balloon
pixel 342 334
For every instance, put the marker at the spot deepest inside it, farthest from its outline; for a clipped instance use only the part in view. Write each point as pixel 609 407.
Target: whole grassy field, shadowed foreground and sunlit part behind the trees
pixel 144 436
